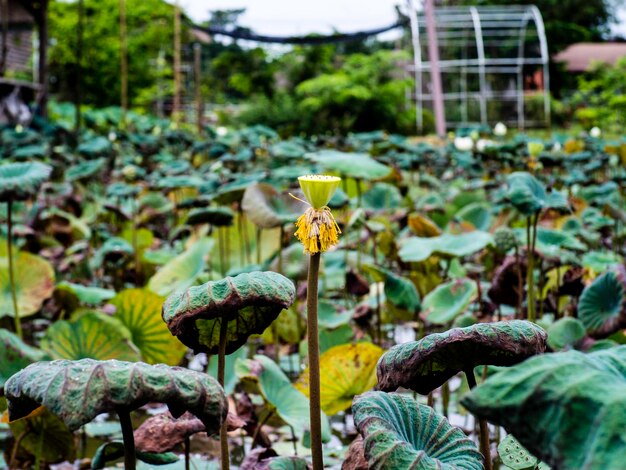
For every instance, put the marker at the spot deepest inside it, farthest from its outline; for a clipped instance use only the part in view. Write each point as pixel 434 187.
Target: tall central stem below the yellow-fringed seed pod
pixel 314 363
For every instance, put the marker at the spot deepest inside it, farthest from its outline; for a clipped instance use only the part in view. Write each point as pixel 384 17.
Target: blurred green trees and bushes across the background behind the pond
pixel 353 86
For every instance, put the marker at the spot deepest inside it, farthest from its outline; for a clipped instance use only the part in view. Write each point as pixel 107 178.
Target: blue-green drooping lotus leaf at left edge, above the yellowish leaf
pixel 19 181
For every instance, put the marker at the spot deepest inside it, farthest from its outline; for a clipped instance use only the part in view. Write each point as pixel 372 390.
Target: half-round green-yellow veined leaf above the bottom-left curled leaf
pixel 92 335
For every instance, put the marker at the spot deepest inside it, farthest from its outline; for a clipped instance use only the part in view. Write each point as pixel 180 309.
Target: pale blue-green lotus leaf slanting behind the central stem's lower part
pixel 289 403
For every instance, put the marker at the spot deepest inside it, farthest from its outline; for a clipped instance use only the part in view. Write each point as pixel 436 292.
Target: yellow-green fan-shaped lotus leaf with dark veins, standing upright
pixel 139 310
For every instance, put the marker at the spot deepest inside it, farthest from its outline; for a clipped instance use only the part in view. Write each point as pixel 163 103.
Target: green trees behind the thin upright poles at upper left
pixel 150 32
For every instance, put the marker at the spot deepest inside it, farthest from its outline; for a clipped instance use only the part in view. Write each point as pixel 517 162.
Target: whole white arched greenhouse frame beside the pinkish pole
pixel 478 48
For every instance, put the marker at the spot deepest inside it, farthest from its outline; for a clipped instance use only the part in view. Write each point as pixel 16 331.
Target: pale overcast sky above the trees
pixel 299 17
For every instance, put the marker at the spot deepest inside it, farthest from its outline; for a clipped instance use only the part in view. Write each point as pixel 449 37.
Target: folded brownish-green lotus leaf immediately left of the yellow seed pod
pixel 268 208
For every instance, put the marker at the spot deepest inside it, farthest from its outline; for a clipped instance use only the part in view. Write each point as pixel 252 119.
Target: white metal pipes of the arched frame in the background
pixel 481 27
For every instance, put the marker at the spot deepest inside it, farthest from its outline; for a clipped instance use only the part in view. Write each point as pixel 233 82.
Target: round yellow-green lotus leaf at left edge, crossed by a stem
pixel 34 283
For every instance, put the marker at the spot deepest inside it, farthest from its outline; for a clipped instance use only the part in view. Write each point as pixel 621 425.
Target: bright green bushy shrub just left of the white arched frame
pixel 362 94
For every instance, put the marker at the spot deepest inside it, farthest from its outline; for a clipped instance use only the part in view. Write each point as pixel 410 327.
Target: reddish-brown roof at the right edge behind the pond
pixel 579 57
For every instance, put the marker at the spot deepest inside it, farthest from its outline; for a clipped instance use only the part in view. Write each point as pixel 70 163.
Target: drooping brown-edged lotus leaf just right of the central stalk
pixel 426 364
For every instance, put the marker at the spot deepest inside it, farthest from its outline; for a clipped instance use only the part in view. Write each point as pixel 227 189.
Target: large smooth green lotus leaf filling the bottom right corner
pixel 568 408
